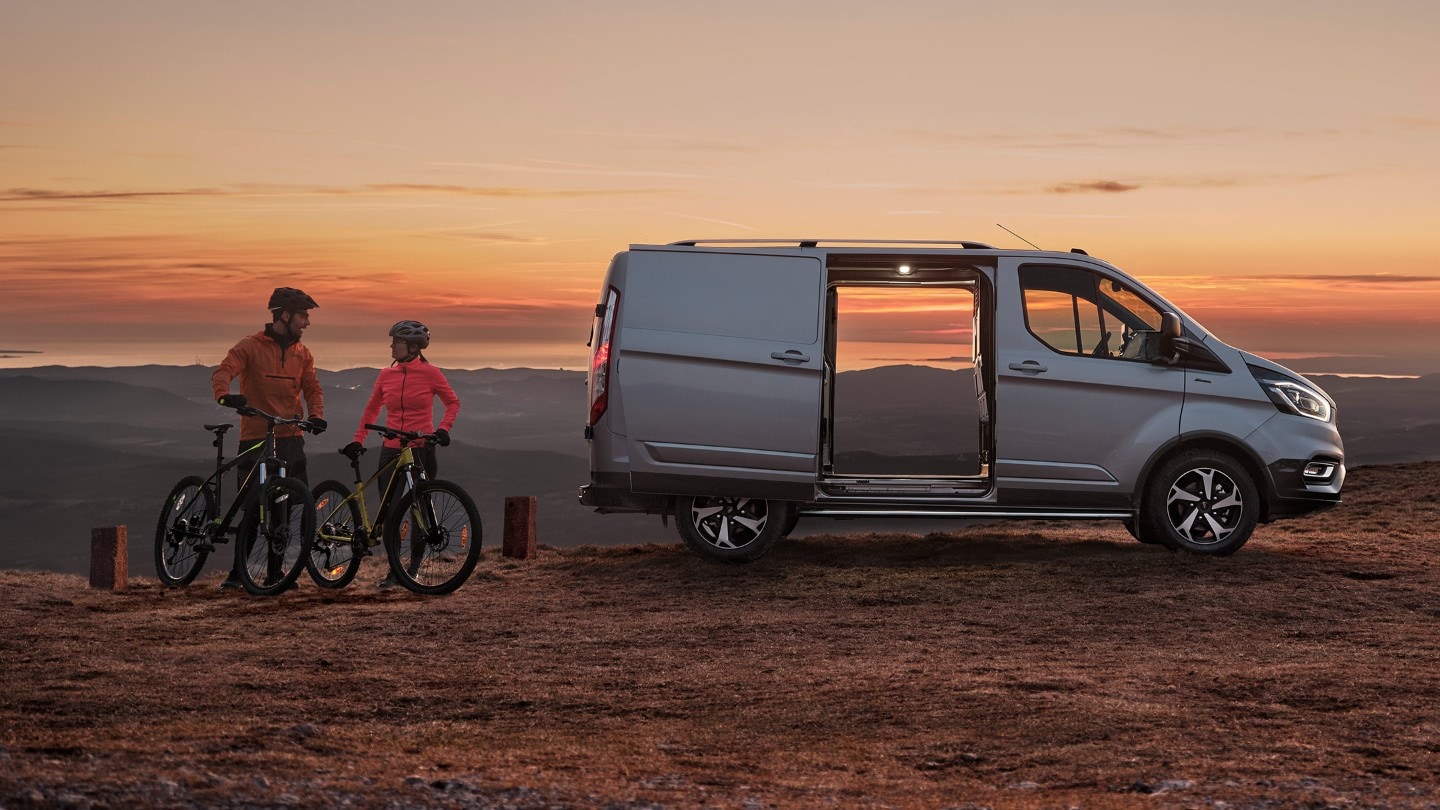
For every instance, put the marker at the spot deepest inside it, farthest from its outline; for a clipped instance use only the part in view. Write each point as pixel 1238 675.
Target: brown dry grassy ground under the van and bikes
pixel 1038 665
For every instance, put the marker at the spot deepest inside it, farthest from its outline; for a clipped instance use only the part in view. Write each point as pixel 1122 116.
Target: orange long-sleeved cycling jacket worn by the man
pixel 273 375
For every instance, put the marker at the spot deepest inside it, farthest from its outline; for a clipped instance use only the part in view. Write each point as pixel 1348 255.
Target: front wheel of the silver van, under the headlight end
pixel 1202 502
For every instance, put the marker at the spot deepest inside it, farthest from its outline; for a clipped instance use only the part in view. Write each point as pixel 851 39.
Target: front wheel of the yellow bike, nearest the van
pixel 434 540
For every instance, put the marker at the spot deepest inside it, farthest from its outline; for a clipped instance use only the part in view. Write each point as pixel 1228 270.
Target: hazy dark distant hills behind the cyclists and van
pixel 103 446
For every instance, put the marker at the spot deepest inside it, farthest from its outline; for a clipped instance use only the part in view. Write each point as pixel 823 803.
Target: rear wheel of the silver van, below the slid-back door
pixel 732 530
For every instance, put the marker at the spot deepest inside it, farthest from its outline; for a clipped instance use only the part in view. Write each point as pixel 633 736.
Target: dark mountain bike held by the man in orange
pixel 274 534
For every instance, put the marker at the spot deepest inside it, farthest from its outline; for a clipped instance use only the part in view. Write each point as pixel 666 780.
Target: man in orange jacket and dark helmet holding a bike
pixel 274 371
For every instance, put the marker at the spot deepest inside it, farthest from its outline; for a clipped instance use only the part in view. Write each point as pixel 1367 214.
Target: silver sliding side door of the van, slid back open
pixel 721 367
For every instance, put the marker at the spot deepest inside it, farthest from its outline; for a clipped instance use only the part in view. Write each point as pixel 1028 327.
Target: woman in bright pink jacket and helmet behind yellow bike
pixel 407 390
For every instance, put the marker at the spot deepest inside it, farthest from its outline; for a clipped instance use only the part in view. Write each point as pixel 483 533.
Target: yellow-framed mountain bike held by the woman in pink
pixel 431 530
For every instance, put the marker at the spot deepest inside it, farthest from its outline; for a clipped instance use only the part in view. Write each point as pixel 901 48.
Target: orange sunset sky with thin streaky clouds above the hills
pixel 1272 168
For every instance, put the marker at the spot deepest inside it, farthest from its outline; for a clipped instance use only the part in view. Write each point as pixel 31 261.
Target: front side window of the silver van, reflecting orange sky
pixel 1079 312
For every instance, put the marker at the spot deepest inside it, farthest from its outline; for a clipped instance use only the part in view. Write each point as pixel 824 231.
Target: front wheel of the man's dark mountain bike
pixel 271 556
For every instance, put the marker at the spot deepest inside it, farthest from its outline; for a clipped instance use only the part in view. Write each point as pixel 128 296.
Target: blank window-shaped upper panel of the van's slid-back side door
pixel 726 295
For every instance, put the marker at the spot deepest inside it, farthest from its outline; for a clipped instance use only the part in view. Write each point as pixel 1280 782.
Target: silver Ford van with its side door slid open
pixel 742 386
